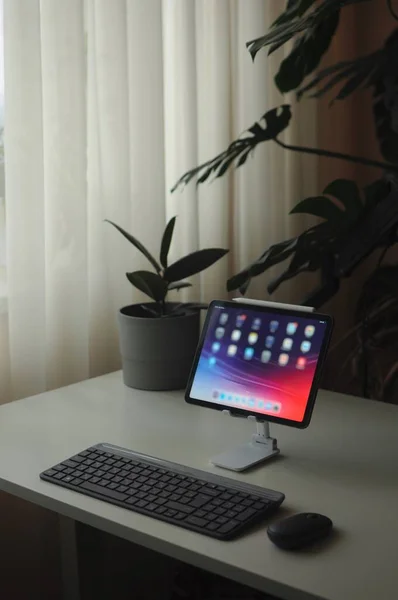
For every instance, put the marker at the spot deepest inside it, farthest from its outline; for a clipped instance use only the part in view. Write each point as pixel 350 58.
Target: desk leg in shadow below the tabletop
pixel 69 559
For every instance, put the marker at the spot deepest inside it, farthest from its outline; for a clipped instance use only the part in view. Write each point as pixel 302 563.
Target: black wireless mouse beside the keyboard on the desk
pixel 299 530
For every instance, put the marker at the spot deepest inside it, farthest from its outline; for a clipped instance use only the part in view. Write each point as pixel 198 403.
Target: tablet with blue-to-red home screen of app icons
pixel 260 361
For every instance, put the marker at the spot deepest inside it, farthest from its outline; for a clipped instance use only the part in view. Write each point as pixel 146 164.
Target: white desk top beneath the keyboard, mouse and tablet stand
pixel 344 465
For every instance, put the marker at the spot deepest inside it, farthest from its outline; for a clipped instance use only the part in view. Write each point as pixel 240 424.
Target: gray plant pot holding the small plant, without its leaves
pixel 157 353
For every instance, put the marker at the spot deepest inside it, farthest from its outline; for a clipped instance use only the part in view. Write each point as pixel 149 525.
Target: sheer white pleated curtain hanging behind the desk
pixel 107 103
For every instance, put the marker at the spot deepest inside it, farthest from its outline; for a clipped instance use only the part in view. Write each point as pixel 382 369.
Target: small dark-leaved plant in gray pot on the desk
pixel 158 339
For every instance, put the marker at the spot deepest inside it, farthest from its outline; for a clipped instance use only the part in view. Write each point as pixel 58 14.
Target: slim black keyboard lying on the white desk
pixel 203 502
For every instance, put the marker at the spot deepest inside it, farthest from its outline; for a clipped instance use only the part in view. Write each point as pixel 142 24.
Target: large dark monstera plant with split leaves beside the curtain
pixel 354 221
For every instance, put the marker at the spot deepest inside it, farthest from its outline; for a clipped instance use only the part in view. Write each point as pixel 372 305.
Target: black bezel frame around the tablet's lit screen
pixel 247 307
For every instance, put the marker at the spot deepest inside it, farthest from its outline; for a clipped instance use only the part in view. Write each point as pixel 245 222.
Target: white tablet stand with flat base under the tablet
pixel 261 448
